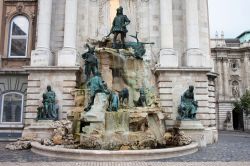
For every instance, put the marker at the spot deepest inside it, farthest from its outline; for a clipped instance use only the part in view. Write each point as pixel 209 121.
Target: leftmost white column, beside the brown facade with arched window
pixel 42 56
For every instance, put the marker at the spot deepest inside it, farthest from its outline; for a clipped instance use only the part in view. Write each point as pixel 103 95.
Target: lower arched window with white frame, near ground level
pixel 12 107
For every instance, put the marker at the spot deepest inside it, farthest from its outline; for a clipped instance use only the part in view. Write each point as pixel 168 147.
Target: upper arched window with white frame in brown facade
pixel 18 37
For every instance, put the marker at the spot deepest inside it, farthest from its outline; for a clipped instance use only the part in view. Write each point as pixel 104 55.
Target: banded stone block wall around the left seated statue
pixel 62 83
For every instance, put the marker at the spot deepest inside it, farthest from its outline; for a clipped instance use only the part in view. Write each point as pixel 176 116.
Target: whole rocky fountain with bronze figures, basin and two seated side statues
pixel 117 113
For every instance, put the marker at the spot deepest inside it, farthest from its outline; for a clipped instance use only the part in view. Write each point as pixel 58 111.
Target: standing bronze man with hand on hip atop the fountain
pixel 119 27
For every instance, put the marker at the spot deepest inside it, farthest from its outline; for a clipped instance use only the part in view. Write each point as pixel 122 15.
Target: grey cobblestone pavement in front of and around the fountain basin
pixel 233 147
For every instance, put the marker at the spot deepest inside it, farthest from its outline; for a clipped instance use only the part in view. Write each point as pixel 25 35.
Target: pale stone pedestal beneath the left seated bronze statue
pixel 38 130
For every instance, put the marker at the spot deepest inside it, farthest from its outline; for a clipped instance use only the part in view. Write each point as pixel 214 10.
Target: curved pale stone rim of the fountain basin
pixel 106 155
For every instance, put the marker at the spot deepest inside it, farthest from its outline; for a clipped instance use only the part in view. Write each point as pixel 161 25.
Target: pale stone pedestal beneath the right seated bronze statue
pixel 193 128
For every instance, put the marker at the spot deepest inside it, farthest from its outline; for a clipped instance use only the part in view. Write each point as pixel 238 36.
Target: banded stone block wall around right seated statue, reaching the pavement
pixel 172 83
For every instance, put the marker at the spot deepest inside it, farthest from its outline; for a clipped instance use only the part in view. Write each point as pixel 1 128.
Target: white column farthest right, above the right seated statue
pixel 195 58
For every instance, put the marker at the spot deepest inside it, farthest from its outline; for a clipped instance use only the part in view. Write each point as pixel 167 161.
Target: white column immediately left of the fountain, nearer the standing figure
pixel 67 56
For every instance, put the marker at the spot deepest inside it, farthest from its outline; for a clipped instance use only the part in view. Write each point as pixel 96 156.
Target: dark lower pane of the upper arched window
pixel 18 47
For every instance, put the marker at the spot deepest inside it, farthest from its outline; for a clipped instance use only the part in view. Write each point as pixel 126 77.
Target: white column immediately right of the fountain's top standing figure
pixel 168 57
